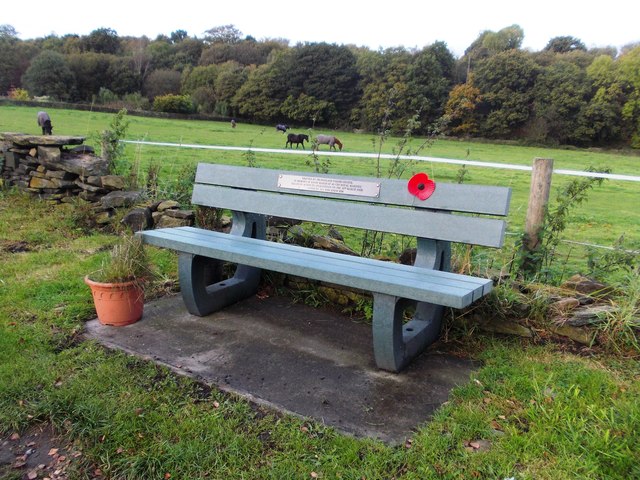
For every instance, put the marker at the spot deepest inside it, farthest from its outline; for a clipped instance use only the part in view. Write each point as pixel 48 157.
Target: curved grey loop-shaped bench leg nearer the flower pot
pixel 203 288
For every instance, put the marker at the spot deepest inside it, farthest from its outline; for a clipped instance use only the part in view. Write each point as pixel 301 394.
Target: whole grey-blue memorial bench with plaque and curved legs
pixel 384 205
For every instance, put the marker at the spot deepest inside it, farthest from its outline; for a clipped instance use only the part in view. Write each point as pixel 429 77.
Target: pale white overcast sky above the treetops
pixel 373 23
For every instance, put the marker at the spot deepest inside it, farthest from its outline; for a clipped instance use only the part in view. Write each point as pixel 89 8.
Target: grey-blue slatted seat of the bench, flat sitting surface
pixel 420 284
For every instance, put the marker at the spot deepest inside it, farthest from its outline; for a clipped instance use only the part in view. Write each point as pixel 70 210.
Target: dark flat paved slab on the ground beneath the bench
pixel 297 359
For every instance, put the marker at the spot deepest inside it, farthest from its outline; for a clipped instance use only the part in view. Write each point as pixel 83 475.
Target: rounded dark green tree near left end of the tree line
pixel 49 75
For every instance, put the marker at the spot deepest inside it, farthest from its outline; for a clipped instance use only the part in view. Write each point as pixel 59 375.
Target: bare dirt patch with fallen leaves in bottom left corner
pixel 39 453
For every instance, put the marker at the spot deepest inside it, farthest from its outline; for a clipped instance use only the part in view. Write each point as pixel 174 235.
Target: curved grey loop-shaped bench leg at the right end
pixel 396 343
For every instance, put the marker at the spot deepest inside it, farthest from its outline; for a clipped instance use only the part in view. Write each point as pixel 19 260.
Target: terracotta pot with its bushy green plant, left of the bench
pixel 118 286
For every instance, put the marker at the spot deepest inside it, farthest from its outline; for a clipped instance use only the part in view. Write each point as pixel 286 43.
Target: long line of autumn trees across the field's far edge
pixel 563 94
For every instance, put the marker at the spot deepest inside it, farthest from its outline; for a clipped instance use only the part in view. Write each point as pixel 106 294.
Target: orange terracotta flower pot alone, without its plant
pixel 117 304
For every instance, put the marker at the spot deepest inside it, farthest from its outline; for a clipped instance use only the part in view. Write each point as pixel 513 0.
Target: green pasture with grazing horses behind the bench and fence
pixel 610 213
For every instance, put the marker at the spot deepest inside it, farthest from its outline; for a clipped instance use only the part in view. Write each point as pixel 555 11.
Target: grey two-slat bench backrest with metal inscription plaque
pixel 363 202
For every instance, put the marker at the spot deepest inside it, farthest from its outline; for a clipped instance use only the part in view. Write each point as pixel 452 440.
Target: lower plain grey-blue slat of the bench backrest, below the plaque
pixel 419 223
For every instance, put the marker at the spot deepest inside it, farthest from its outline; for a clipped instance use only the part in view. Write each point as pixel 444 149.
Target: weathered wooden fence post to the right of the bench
pixel 537 208
